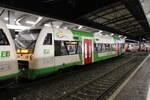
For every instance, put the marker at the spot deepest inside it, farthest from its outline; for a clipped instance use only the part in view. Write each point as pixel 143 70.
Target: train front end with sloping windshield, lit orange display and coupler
pixel 25 44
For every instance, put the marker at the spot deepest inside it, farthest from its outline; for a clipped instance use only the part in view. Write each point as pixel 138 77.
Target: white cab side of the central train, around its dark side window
pixel 41 59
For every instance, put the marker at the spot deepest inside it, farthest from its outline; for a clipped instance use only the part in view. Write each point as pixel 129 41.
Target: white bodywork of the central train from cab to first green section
pixel 41 60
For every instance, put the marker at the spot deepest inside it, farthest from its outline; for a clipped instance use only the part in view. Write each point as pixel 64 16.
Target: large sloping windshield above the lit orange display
pixel 27 39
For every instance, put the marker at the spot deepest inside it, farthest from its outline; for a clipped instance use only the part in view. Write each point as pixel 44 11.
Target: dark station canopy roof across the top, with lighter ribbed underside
pixel 124 17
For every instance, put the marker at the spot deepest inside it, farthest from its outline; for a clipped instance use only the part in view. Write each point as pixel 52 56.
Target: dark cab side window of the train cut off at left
pixel 3 38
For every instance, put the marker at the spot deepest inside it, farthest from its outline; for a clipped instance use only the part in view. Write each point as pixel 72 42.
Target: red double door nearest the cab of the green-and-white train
pixel 87 51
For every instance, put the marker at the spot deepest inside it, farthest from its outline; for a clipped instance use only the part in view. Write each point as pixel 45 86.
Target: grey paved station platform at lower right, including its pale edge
pixel 137 85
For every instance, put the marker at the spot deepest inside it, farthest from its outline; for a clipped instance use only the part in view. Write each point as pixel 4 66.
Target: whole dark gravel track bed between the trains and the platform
pixel 98 88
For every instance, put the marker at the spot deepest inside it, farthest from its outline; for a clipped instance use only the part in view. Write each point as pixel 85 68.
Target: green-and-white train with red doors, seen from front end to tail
pixel 44 51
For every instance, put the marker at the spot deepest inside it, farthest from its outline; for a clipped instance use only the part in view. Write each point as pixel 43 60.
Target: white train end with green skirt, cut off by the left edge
pixel 8 60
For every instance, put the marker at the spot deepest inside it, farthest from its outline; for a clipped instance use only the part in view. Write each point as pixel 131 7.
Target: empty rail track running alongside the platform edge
pixel 102 87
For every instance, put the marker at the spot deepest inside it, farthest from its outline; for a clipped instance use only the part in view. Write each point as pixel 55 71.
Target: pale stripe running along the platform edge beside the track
pixel 127 80
